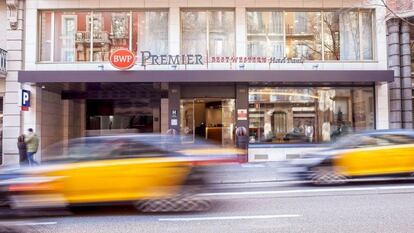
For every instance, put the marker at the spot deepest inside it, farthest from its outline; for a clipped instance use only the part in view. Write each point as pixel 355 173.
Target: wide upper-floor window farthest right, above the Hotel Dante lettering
pixel 311 35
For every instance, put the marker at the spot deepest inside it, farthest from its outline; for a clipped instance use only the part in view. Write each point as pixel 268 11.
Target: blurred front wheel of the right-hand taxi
pixel 325 175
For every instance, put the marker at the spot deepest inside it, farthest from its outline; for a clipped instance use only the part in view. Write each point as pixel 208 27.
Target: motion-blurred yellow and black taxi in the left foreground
pixel 151 171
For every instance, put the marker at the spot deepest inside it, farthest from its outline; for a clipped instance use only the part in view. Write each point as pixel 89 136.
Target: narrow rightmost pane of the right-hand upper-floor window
pixel 366 32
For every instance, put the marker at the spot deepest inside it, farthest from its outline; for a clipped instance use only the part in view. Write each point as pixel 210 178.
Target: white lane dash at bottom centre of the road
pixel 229 218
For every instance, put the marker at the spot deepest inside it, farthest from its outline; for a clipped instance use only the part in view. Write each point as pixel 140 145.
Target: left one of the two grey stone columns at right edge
pixel 393 26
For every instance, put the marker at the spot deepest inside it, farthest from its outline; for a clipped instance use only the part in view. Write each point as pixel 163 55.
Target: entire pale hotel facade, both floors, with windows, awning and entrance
pixel 289 72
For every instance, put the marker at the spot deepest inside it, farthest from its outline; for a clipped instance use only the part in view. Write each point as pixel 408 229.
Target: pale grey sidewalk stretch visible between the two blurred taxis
pixel 249 173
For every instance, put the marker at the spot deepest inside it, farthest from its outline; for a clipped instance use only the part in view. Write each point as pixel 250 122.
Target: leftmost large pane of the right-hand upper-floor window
pixel 265 34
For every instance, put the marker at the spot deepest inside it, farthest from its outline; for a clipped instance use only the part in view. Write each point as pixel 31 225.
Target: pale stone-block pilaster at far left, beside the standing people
pixel 11 112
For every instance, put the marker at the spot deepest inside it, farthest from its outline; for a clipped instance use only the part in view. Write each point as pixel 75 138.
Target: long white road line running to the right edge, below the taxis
pixel 320 190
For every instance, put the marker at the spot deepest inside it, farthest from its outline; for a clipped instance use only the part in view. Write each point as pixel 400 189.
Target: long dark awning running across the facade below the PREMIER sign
pixel 207 76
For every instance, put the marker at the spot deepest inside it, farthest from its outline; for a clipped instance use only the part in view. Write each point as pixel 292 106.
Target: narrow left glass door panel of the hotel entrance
pixel 187 124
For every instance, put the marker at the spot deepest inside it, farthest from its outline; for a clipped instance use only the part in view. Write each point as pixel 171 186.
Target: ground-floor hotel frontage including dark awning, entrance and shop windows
pixel 270 109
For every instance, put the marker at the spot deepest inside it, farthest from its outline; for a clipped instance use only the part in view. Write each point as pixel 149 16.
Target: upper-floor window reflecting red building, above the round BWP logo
pixel 77 36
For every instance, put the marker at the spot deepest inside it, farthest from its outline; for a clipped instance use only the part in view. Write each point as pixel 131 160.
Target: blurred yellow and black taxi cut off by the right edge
pixel 376 153
